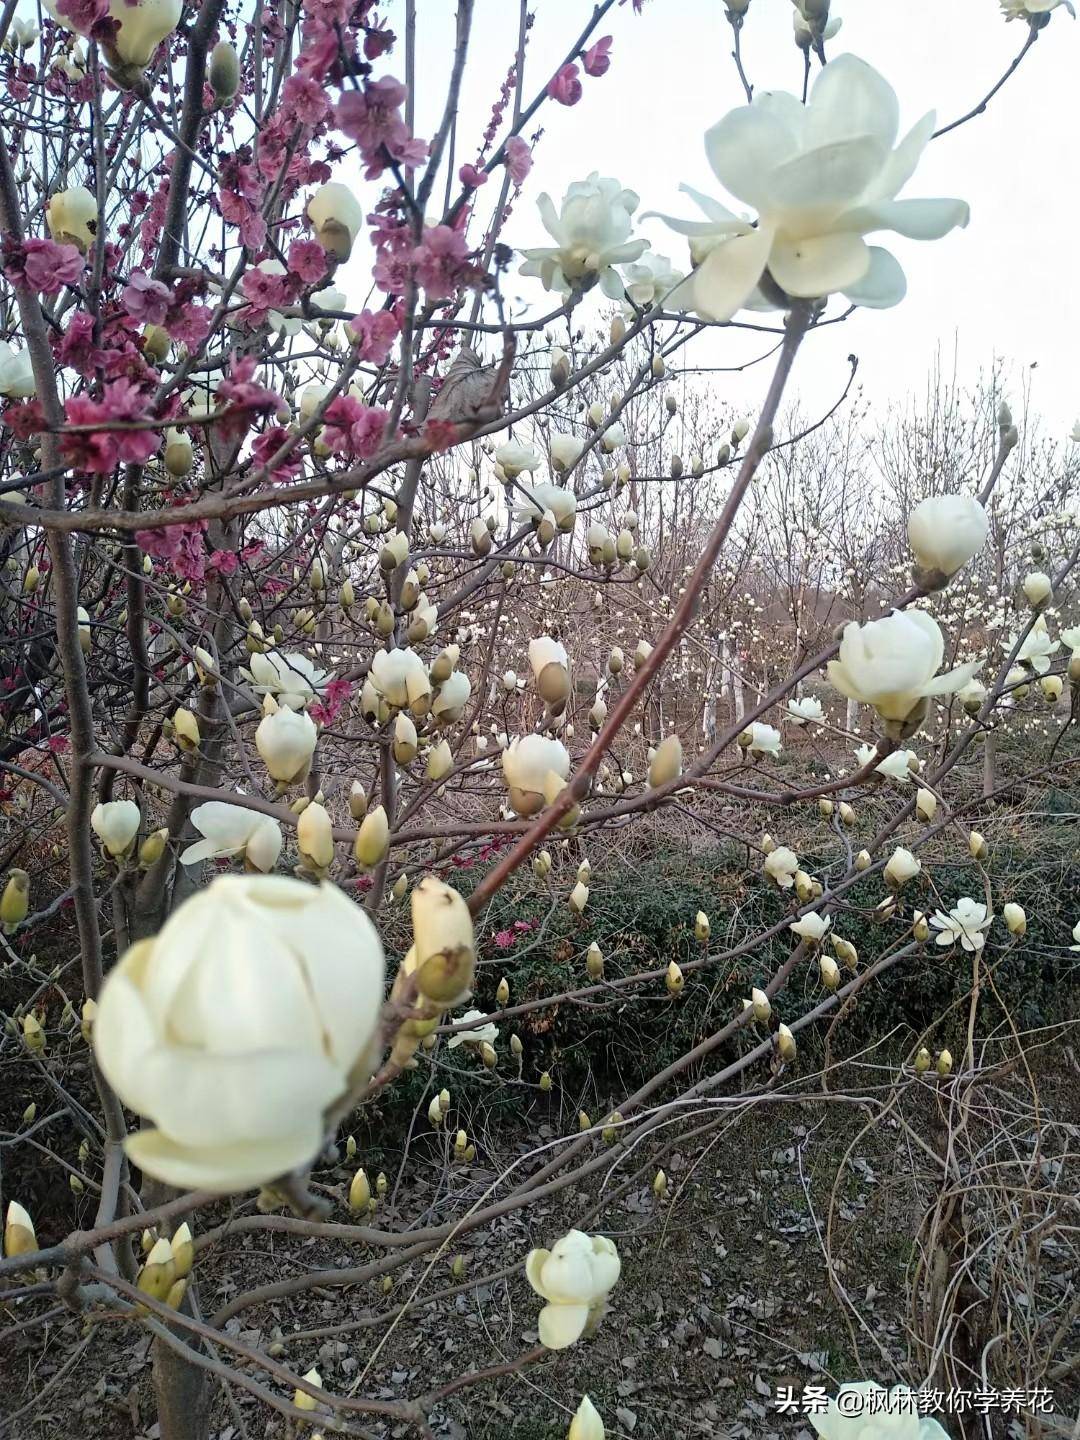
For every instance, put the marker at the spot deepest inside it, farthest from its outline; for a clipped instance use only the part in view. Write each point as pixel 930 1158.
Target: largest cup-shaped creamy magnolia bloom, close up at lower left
pixel 238 1026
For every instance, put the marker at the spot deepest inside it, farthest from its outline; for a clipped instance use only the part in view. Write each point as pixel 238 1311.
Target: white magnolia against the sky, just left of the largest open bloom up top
pixel 591 237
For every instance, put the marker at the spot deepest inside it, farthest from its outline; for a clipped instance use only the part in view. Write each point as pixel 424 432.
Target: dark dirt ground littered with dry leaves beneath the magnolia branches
pixel 725 1297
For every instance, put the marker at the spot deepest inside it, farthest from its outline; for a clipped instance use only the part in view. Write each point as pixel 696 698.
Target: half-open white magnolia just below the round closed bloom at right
pixel 892 665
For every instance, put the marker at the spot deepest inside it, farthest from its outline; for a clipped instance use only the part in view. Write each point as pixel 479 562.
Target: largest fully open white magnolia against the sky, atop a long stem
pixel 820 176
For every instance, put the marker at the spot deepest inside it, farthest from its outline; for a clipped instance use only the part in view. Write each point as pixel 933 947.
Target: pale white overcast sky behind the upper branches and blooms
pixel 1004 287
